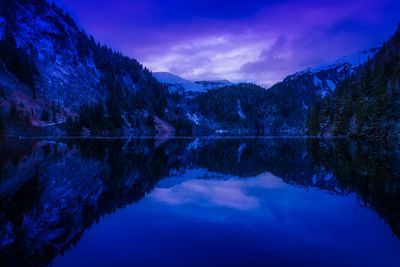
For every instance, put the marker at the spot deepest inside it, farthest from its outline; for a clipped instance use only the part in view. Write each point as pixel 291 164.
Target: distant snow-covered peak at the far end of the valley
pixel 182 86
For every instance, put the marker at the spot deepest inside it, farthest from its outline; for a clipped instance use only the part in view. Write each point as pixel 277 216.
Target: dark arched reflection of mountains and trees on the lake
pixel 52 192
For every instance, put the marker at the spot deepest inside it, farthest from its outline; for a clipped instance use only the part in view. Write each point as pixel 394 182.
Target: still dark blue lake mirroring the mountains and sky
pixel 199 202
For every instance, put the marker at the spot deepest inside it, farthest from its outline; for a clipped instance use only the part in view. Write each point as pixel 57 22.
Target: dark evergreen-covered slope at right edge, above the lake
pixel 366 105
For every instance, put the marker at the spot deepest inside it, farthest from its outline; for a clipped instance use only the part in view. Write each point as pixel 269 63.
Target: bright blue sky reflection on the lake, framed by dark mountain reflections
pixel 256 221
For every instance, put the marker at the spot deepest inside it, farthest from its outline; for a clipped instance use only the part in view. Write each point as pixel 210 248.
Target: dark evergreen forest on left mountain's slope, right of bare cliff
pixel 131 91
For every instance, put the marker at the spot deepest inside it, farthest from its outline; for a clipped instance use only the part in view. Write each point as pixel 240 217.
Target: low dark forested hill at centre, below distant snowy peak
pixel 240 109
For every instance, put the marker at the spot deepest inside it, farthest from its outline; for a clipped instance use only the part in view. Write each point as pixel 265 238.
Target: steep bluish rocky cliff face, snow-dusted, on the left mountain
pixel 67 73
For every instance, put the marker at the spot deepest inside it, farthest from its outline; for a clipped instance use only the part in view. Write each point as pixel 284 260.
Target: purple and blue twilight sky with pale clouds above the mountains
pixel 254 40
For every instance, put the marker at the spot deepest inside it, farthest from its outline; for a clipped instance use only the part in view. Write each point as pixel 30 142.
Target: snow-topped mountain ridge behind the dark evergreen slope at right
pixel 298 92
